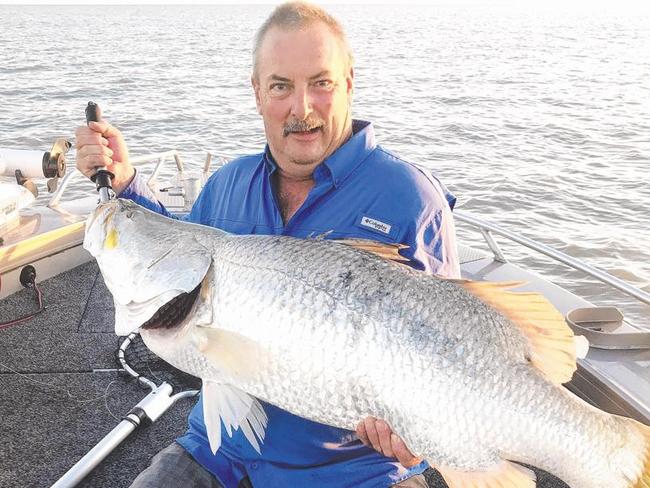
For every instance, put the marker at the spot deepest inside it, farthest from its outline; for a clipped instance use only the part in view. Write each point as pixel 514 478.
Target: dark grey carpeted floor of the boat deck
pixel 58 401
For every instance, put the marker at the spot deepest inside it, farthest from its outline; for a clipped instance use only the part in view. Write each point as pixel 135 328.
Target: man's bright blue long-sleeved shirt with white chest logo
pixel 360 191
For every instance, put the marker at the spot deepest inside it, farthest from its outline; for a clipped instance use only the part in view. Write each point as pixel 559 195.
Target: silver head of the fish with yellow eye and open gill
pixel 153 265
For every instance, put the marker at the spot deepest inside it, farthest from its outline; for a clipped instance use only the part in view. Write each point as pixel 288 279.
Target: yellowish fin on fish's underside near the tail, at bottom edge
pixel 505 475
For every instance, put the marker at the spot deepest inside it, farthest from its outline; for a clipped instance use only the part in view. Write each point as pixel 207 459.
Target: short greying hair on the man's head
pixel 294 15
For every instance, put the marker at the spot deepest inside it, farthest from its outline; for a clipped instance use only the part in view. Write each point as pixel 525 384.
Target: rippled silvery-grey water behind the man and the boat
pixel 537 120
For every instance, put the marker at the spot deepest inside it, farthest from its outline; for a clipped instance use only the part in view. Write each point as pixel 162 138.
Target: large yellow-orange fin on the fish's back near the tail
pixel 552 342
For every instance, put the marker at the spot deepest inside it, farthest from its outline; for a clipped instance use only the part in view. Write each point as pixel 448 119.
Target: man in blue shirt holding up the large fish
pixel 321 172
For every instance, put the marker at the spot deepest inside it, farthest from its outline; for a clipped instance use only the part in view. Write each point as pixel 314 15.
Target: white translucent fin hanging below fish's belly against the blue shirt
pixel 236 409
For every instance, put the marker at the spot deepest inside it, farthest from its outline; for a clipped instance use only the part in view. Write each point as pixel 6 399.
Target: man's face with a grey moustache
pixel 303 91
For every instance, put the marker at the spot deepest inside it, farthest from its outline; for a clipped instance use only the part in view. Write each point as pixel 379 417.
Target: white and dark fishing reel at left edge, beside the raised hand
pixel 25 165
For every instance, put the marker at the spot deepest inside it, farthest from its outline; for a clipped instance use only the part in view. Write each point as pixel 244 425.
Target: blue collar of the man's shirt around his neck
pixel 344 160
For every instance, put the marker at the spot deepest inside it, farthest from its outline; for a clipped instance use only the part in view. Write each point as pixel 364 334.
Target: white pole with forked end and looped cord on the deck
pixel 141 364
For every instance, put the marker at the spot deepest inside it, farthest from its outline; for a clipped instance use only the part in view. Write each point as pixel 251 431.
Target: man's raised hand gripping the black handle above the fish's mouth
pixel 101 145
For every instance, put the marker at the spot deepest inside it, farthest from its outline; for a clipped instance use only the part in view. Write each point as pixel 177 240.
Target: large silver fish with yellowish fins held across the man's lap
pixel 469 374
